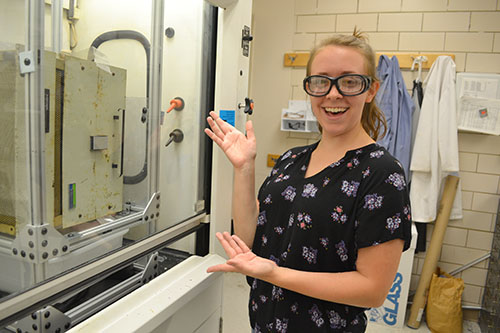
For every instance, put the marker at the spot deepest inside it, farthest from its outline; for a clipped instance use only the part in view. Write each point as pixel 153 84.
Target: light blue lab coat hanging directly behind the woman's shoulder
pixel 397 105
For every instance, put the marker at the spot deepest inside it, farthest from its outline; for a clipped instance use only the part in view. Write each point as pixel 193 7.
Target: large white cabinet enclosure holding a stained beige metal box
pixel 108 201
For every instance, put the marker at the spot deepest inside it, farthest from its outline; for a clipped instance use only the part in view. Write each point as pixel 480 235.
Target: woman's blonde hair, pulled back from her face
pixel 372 119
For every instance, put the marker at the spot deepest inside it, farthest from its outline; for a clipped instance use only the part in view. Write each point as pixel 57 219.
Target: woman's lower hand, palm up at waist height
pixel 242 259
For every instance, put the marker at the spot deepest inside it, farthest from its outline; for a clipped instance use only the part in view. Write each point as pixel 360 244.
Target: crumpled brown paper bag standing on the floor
pixel 444 303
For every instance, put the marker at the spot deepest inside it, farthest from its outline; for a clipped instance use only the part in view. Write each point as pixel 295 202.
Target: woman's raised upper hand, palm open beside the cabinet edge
pixel 239 149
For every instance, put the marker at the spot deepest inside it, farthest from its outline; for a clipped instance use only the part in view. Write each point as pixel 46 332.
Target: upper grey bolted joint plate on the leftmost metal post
pixel 38 244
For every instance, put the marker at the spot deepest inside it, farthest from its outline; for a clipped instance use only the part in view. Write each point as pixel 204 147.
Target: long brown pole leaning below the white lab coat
pixel 433 252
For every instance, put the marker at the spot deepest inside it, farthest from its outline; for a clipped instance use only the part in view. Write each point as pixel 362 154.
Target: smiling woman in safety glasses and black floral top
pixel 324 238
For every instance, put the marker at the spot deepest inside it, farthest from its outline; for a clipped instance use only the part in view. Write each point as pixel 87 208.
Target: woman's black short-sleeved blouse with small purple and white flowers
pixel 318 224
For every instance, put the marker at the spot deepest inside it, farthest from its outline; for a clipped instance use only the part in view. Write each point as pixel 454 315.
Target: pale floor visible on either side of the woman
pixel 235 312
